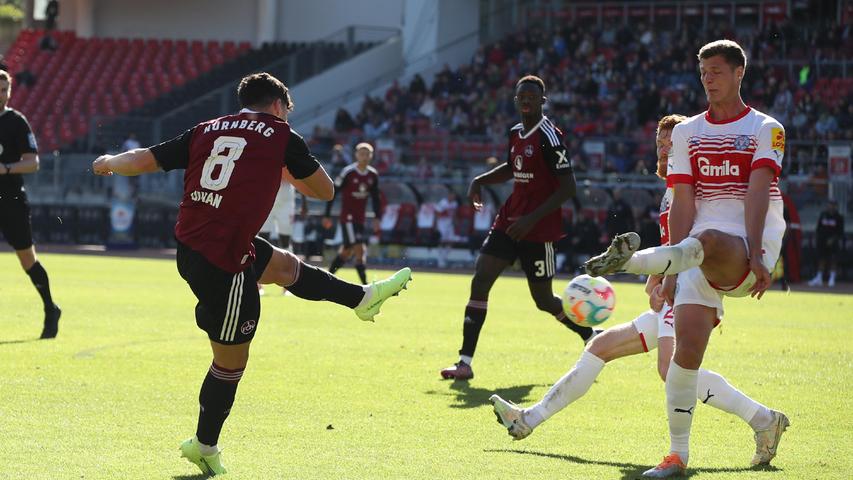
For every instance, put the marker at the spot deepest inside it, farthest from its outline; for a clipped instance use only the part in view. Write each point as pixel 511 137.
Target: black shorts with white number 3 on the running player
pixel 537 258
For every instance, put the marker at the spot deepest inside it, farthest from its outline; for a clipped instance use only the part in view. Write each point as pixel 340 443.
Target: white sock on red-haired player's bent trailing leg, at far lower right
pixel 718 393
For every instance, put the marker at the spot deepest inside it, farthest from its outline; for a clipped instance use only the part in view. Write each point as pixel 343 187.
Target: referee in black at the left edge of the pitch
pixel 19 155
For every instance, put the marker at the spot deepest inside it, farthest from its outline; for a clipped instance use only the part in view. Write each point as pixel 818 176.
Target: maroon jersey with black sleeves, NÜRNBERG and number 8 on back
pixel 233 172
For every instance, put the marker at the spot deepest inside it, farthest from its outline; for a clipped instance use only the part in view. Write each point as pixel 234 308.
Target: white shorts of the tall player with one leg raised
pixel 694 289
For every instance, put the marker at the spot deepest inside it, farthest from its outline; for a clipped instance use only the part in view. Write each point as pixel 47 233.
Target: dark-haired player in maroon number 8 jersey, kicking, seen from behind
pixel 233 172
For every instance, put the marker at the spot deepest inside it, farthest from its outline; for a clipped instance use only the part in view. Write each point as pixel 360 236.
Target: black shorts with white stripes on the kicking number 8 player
pixel 229 307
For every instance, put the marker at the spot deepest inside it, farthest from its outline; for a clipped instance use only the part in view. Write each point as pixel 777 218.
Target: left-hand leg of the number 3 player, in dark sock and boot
pixel 488 269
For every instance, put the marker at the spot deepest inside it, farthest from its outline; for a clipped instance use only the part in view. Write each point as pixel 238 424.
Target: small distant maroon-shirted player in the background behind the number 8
pixel 355 183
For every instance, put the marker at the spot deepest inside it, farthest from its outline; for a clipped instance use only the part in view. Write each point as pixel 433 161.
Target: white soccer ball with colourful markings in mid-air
pixel 589 301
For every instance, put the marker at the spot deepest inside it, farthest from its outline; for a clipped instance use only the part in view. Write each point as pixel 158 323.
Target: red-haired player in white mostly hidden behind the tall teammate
pixel 652 329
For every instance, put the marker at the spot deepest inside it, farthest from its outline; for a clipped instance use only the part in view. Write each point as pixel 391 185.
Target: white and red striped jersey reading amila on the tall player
pixel 717 159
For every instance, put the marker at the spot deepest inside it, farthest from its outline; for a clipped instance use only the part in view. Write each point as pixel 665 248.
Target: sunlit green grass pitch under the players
pixel 326 396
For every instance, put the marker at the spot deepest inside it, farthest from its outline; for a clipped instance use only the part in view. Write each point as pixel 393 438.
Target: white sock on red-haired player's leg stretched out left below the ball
pixel 571 387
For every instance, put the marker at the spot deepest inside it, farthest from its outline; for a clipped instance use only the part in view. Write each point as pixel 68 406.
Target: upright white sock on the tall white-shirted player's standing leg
pixel 680 405
